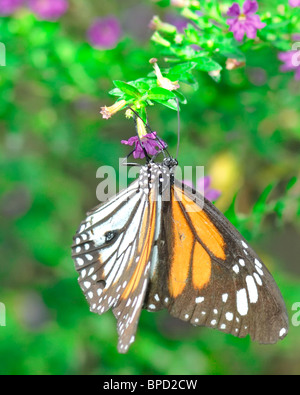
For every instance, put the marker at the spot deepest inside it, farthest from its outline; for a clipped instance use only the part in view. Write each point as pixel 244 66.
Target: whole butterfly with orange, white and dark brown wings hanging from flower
pixel 159 244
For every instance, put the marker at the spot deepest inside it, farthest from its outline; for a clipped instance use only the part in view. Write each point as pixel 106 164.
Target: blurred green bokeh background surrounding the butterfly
pixel 244 130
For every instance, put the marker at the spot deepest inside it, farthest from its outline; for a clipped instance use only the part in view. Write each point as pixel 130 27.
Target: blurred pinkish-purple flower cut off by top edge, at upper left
pixel 48 10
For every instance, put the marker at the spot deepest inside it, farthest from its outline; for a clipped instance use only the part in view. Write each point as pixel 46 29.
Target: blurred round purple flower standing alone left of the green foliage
pixel 105 33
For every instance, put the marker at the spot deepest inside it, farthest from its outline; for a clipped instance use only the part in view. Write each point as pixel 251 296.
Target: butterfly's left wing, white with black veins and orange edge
pixel 112 251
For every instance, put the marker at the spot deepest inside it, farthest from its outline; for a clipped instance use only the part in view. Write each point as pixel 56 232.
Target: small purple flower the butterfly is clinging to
pixel 151 144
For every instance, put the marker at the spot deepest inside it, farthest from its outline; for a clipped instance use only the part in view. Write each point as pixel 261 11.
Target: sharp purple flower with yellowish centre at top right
pixel 244 21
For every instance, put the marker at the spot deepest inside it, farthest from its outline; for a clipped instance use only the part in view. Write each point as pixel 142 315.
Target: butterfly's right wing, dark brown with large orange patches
pixel 208 275
